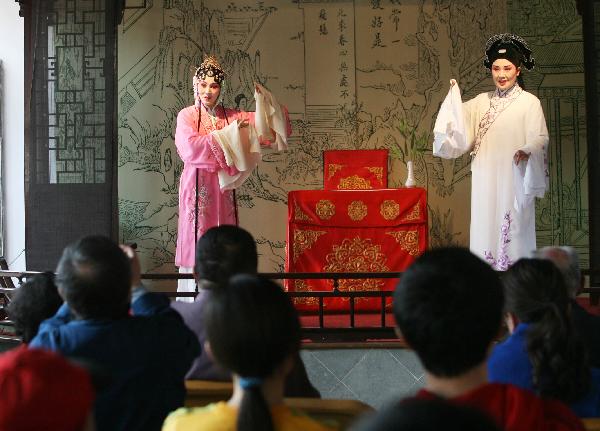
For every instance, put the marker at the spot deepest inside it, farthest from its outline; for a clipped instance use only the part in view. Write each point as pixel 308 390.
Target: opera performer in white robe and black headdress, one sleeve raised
pixel 506 134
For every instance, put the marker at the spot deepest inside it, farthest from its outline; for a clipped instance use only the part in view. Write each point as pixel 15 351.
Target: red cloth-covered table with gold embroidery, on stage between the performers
pixel 378 230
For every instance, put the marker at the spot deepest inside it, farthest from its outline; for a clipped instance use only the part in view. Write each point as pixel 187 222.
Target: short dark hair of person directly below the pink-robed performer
pixel 224 251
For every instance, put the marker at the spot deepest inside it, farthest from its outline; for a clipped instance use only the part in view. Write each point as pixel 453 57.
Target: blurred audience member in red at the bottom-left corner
pixel 43 391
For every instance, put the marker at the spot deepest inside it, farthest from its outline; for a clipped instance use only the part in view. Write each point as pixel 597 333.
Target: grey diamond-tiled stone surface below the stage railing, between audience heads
pixel 373 376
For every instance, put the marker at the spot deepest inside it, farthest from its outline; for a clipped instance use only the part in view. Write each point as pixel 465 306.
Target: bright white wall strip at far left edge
pixel 12 107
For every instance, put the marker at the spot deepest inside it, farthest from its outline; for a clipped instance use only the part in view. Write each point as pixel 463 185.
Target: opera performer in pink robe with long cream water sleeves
pixel 219 148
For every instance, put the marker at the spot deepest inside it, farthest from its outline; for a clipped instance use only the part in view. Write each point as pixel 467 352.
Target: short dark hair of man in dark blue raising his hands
pixel 94 277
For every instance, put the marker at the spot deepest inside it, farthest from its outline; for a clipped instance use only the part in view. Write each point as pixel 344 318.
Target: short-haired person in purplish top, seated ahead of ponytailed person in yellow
pixel 221 252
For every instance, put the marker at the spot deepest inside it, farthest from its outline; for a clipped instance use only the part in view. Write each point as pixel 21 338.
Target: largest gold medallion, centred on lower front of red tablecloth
pixel 357 255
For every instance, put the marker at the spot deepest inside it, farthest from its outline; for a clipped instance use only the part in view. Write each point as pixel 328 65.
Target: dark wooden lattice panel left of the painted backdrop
pixel 71 142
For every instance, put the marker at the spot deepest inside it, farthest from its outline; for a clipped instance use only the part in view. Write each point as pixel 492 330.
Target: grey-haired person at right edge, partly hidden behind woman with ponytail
pixel 587 325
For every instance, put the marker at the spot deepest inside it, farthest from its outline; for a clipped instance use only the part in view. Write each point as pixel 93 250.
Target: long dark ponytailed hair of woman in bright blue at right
pixel 536 294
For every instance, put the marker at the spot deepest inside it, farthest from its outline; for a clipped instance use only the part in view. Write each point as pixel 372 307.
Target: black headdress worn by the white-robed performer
pixel 508 46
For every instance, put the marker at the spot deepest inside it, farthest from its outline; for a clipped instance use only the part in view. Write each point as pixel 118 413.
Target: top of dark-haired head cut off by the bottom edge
pixel 416 414
